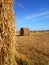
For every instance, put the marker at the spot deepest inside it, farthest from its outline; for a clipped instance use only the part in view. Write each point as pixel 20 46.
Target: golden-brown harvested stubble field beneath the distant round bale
pixel 35 47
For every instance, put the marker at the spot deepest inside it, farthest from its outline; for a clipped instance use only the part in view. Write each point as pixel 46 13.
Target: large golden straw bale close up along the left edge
pixel 7 33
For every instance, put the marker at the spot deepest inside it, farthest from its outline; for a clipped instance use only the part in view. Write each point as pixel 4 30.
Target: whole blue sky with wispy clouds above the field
pixel 32 14
